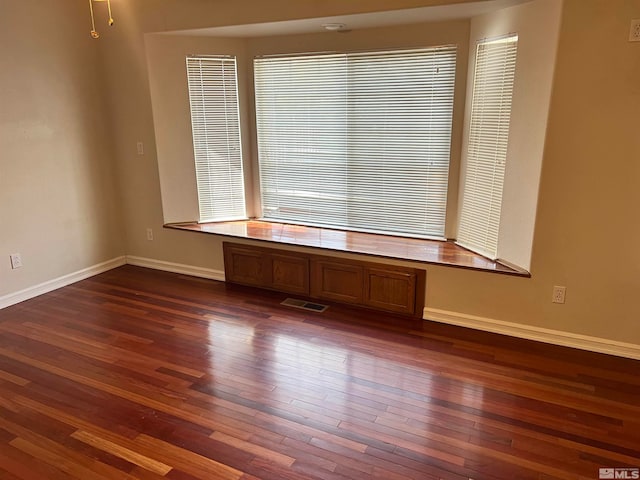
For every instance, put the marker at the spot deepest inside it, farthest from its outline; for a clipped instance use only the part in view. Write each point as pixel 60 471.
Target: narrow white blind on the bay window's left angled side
pixel 213 96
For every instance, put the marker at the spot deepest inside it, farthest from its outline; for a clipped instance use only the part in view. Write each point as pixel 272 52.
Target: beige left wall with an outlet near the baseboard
pixel 58 202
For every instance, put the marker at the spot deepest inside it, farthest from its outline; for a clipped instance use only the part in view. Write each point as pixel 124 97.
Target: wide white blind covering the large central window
pixel 358 141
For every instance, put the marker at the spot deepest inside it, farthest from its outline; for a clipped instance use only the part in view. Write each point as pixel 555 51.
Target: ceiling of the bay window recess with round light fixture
pixel 357 21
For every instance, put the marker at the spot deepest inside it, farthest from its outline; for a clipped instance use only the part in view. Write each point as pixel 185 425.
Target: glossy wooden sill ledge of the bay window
pixel 416 250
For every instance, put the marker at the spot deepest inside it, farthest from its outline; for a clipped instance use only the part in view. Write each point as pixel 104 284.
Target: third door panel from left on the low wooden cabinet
pixel 337 281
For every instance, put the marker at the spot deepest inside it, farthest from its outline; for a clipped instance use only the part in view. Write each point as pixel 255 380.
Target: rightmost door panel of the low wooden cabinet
pixel 390 290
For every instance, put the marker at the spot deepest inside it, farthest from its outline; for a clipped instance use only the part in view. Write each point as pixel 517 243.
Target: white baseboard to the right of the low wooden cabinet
pixel 555 337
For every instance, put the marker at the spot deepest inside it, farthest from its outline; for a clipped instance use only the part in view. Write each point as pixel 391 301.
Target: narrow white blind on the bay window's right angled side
pixel 487 145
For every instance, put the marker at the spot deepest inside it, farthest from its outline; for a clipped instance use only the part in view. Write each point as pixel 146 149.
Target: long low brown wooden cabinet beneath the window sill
pixel 382 287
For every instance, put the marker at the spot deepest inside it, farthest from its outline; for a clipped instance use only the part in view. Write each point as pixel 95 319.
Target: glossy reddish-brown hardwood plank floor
pixel 143 374
